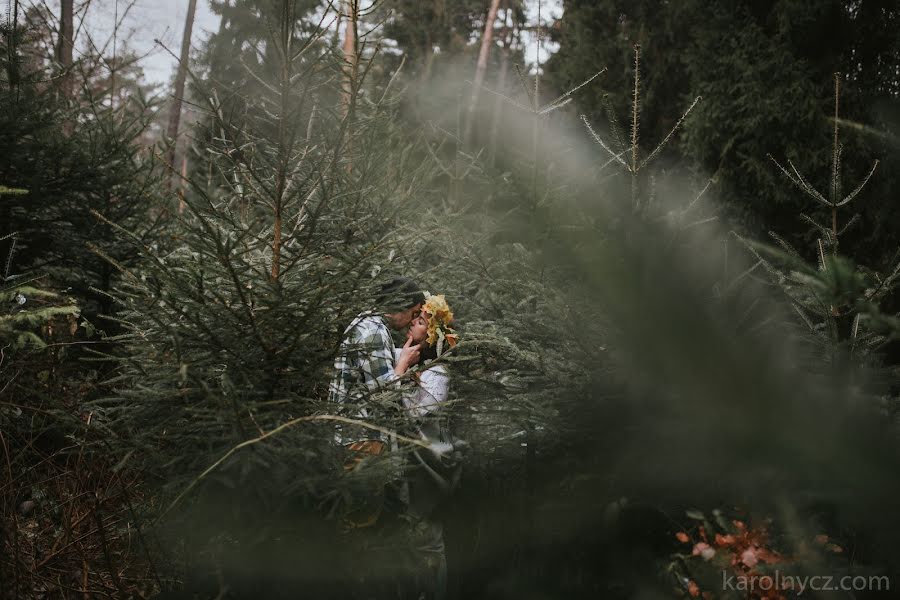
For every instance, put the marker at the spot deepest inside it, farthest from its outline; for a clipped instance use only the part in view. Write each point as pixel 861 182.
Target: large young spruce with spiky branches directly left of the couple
pixel 231 327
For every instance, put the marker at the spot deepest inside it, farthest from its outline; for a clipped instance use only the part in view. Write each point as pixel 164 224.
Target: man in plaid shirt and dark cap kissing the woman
pixel 366 362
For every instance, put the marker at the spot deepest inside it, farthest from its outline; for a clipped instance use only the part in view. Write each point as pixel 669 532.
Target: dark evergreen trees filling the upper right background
pixel 766 91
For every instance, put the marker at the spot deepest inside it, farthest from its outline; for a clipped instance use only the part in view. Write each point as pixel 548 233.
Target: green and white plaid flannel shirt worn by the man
pixel 365 364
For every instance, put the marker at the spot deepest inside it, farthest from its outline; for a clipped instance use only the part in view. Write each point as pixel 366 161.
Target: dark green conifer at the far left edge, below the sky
pixel 74 157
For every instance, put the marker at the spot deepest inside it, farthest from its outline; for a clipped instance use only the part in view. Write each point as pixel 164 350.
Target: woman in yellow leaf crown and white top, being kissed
pixel 436 470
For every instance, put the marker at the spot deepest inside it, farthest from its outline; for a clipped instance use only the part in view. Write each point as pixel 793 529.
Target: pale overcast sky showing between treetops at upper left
pixel 148 20
